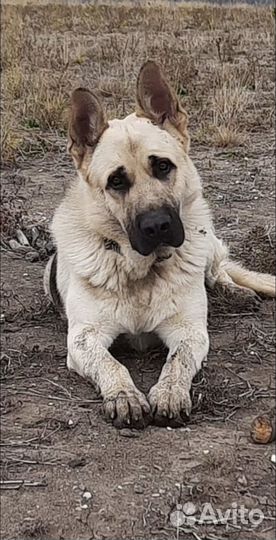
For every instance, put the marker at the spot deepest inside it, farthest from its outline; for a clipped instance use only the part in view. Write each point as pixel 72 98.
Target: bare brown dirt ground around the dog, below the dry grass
pixel 66 474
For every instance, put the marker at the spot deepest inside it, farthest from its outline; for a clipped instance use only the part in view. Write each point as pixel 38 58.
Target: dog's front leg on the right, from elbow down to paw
pixel 188 345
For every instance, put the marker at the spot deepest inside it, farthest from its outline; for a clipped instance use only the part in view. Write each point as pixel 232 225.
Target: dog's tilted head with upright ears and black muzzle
pixel 139 165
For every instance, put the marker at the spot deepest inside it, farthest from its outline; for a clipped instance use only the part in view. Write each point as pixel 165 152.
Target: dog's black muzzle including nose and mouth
pixel 161 227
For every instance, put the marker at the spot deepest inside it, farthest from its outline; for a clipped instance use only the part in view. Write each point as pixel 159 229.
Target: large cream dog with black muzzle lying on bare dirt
pixel 135 244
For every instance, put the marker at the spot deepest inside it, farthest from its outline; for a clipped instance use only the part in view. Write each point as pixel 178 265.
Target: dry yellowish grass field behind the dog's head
pixel 220 60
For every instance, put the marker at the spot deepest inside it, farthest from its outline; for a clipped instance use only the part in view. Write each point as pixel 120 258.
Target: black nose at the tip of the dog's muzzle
pixel 155 225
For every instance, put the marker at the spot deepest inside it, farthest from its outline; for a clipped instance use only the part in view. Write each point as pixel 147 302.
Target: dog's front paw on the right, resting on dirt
pixel 170 404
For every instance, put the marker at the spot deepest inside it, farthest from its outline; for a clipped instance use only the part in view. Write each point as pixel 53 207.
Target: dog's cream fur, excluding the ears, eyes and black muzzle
pixel 106 293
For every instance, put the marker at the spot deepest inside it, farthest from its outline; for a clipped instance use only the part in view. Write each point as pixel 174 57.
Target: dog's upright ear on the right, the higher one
pixel 157 101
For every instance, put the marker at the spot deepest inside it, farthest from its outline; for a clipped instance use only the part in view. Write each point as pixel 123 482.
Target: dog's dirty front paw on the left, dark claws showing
pixel 128 408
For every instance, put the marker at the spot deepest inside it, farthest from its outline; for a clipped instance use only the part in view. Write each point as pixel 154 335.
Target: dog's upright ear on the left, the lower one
pixel 86 124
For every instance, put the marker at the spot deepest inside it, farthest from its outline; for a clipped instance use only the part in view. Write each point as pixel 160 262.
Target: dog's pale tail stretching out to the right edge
pixel 232 274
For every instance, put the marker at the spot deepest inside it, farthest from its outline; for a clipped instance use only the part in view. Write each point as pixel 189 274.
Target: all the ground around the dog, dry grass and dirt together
pixel 66 474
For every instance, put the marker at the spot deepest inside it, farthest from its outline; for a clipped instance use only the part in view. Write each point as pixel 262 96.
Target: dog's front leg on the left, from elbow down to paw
pixel 88 355
